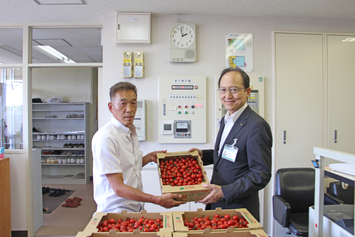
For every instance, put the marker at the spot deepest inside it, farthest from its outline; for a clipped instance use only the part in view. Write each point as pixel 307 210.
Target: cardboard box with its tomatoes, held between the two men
pixel 182 173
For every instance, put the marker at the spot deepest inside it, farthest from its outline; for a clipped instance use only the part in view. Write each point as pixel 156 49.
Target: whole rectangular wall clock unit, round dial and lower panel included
pixel 182 45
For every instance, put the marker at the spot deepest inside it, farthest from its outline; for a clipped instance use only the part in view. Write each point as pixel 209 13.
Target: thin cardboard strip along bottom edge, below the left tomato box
pixel 125 234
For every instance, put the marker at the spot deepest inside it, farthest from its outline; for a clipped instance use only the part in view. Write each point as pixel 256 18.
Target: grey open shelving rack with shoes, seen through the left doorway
pixel 61 132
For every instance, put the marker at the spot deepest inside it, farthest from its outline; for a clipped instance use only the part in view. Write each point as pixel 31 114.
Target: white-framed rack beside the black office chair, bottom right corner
pixel 319 225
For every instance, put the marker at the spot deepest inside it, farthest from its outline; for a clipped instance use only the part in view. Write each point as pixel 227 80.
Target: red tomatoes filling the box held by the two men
pixel 181 172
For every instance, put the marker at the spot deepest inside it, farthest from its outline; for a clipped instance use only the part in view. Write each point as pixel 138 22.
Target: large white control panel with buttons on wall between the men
pixel 182 109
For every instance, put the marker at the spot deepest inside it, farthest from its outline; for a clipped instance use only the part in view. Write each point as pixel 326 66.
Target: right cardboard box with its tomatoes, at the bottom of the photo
pixel 217 220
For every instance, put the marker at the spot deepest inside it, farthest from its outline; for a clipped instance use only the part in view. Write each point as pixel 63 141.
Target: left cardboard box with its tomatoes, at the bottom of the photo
pixel 143 222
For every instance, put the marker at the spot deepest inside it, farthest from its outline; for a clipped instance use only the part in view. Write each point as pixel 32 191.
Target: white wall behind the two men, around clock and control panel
pixel 210 62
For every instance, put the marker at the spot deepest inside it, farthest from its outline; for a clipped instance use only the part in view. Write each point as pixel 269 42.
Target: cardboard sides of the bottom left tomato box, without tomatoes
pixel 101 216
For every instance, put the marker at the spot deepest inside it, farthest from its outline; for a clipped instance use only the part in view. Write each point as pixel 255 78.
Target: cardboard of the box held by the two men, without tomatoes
pixel 189 193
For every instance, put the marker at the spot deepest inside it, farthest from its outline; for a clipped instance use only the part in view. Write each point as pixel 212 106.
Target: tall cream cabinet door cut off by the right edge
pixel 341 81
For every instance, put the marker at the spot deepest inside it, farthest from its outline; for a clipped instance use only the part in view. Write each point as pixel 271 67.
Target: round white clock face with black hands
pixel 182 36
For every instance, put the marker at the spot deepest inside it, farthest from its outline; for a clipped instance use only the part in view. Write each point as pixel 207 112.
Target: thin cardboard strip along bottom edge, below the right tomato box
pixel 251 233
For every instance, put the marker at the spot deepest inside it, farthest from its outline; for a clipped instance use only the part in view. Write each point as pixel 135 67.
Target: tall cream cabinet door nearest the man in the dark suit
pixel 299 98
